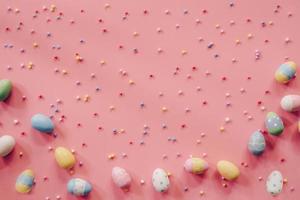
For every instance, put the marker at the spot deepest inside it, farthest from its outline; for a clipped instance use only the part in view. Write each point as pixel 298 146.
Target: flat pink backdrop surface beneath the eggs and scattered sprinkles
pixel 167 40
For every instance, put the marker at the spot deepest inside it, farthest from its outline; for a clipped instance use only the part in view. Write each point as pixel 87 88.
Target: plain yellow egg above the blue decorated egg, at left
pixel 64 158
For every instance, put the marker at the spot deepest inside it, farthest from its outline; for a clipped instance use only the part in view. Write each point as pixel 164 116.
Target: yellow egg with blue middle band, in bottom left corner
pixel 25 181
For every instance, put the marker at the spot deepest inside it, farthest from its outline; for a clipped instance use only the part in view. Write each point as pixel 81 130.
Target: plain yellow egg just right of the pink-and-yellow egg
pixel 228 170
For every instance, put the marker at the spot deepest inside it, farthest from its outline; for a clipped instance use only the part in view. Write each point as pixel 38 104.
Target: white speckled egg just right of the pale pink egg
pixel 160 180
